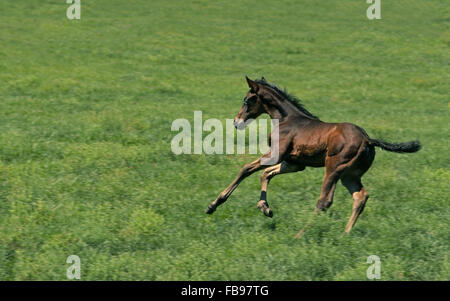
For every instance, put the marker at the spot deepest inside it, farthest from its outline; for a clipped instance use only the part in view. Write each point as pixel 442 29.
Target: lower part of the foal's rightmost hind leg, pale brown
pixel 360 196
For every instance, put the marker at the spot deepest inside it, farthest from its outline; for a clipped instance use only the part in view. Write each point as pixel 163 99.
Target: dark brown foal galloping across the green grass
pixel 344 149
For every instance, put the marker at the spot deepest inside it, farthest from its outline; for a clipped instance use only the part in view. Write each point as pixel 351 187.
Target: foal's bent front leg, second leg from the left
pixel 266 176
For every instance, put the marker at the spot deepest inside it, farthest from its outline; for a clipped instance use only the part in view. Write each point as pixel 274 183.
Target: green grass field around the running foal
pixel 86 166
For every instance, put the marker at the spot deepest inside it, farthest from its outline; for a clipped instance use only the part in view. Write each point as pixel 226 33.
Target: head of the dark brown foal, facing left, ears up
pixel 252 106
